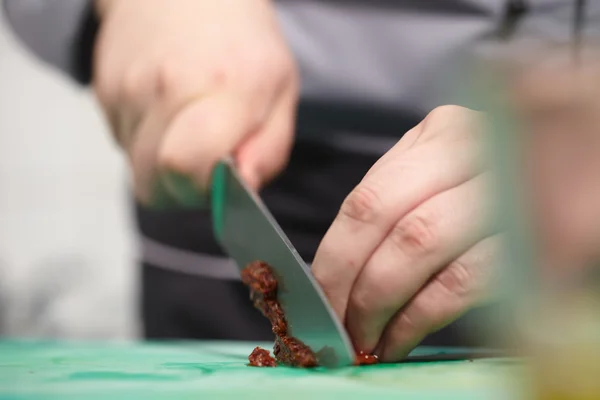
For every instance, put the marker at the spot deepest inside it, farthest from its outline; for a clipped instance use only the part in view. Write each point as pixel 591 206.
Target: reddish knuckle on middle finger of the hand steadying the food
pixel 415 235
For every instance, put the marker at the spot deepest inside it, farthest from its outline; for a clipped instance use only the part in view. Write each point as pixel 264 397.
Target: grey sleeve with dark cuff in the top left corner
pixel 60 32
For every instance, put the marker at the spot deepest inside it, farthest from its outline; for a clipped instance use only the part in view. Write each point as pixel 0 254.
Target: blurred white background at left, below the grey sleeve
pixel 67 254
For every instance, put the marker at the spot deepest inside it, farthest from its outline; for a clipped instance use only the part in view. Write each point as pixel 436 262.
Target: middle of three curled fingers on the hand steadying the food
pixel 419 245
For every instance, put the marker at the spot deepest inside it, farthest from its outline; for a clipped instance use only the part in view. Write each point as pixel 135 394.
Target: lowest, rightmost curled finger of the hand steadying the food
pixel 463 284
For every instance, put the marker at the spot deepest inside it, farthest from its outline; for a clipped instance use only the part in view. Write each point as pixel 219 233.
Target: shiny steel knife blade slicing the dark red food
pixel 248 232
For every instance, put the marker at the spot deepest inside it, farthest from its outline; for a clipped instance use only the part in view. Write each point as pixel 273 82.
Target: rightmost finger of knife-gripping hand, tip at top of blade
pixel 263 155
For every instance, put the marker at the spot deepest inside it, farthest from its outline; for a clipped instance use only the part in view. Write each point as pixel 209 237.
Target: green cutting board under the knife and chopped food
pixel 201 370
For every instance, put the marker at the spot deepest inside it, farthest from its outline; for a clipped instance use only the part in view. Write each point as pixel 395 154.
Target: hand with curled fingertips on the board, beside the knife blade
pixel 412 246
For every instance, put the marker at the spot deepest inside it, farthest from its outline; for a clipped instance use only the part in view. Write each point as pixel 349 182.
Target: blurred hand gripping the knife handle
pixel 186 82
